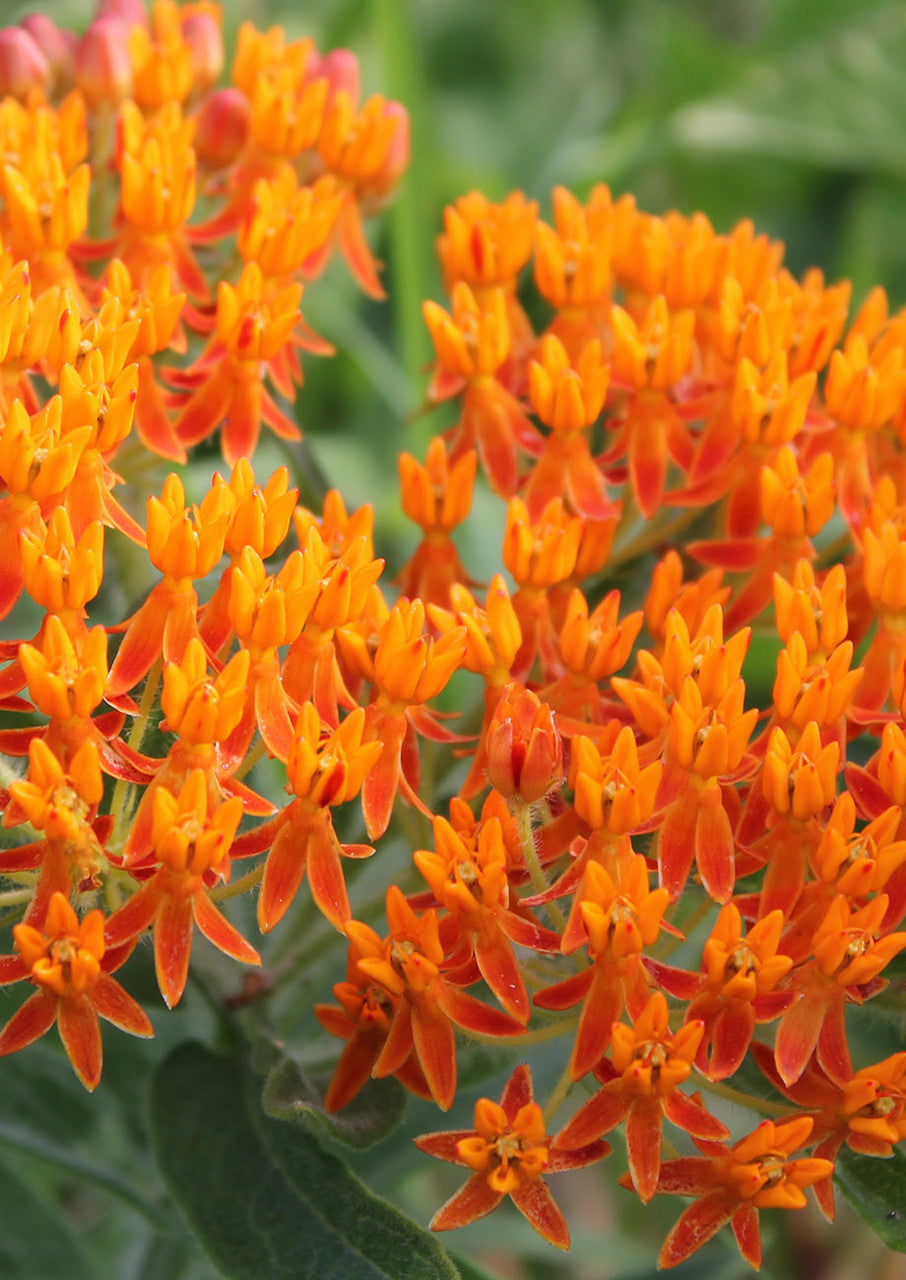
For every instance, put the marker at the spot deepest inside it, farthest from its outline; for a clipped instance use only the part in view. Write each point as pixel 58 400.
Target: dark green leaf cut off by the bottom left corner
pixel 42 1245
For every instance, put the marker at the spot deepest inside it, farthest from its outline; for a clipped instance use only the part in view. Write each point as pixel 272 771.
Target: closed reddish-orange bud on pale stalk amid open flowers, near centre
pixel 525 751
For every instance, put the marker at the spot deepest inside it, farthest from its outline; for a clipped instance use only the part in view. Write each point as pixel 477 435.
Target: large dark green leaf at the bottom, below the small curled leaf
pixel 266 1200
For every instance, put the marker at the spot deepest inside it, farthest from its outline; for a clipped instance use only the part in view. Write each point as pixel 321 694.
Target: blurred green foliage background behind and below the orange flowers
pixel 788 112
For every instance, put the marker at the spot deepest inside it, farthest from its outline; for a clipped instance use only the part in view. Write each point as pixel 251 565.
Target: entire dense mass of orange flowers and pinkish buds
pixel 633 788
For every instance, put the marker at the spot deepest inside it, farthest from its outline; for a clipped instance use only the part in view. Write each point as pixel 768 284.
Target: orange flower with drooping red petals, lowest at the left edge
pixel 66 961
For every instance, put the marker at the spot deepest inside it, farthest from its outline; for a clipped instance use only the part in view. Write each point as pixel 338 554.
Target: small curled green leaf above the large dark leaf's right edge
pixel 291 1094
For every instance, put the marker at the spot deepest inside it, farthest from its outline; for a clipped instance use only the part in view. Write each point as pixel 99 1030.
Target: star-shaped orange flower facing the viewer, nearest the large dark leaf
pixel 507 1151
